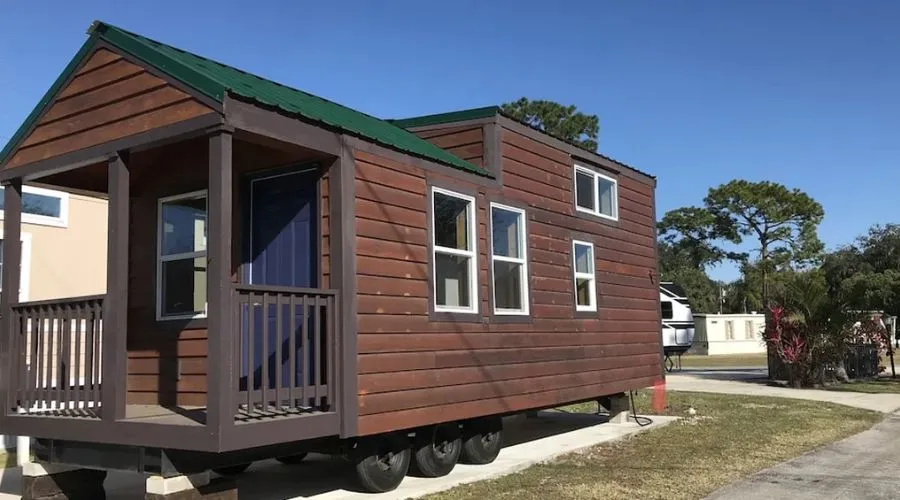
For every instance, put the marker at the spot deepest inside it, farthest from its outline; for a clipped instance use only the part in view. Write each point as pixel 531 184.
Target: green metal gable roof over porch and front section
pixel 214 80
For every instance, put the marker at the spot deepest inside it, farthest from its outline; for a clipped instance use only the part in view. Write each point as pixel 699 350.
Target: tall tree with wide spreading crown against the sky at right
pixel 782 221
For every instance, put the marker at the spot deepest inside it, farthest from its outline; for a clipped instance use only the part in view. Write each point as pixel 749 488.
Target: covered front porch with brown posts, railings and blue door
pixel 221 328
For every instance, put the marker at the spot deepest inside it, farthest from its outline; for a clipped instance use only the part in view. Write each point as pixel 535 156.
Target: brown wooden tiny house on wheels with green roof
pixel 287 275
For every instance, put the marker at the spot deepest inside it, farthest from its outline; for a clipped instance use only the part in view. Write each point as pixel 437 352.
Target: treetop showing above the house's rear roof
pixel 563 122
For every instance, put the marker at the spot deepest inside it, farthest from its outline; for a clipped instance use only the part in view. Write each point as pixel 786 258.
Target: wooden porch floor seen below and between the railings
pixel 180 415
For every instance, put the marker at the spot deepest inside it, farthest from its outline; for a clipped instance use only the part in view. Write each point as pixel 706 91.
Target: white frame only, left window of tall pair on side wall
pixel 471 214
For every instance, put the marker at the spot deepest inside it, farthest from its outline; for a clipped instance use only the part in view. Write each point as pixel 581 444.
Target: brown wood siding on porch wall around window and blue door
pixel 156 349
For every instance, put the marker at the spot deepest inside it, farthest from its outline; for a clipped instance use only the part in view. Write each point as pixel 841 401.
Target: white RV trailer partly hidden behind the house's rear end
pixel 677 323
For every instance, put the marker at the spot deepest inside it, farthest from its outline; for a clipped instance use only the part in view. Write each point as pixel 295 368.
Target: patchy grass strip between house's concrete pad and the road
pixel 729 438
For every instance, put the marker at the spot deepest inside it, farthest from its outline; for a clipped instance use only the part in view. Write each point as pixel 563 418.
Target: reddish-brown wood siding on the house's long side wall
pixel 415 371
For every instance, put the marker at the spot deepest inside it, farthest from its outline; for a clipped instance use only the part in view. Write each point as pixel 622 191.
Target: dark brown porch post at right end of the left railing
pixel 113 385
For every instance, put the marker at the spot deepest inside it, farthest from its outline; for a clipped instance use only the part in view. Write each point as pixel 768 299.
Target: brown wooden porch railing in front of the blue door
pixel 285 359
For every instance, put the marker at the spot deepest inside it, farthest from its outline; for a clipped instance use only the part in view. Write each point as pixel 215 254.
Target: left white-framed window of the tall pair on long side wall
pixel 455 266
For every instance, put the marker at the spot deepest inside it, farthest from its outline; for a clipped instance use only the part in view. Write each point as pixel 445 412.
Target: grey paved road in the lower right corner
pixel 863 467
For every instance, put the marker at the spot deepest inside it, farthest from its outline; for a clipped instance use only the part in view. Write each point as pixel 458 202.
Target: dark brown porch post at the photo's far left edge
pixel 12 259
